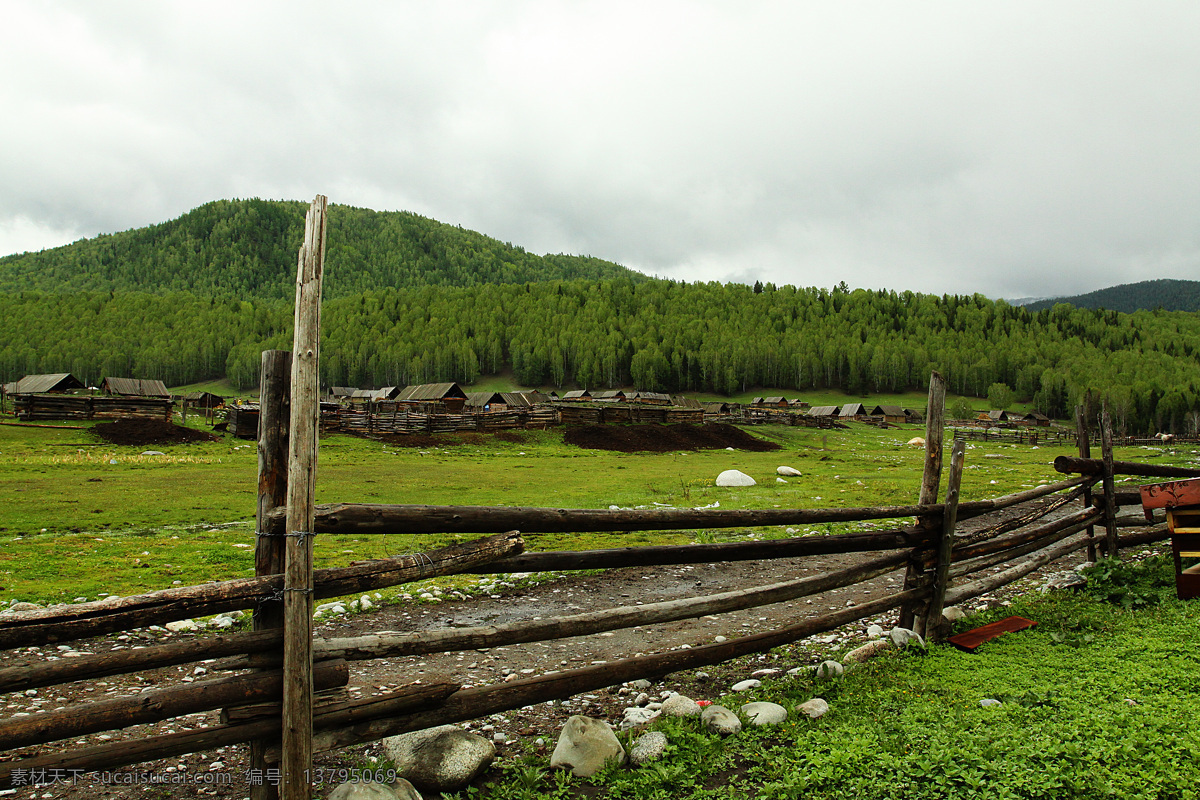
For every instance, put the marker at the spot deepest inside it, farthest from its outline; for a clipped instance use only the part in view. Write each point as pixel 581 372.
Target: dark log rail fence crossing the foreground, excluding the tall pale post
pixel 944 569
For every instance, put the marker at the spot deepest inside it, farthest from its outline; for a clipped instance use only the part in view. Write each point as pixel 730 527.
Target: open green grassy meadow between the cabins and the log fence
pixel 83 518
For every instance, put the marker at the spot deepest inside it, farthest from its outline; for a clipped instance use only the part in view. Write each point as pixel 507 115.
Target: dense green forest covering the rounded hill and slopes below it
pixel 411 300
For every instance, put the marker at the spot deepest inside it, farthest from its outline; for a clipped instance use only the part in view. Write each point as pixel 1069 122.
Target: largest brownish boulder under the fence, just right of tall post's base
pixel 440 760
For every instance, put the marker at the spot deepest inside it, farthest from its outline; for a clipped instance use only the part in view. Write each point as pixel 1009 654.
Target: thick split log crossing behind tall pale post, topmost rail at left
pixel 100 617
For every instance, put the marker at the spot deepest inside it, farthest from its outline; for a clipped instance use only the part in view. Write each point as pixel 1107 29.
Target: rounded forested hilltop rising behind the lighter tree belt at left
pixel 248 249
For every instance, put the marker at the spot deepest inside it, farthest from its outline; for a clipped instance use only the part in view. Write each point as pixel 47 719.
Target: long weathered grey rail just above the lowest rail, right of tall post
pixel 382 646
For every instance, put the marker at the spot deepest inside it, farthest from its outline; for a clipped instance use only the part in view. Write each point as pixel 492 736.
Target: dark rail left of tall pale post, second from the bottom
pixel 155 706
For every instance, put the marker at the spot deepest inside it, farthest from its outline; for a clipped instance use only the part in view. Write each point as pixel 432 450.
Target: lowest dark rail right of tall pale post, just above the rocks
pixel 475 703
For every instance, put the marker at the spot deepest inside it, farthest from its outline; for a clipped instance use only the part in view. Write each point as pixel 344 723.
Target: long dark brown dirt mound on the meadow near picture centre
pixel 664 438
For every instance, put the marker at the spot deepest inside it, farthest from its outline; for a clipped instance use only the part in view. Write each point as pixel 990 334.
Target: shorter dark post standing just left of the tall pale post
pixel 274 382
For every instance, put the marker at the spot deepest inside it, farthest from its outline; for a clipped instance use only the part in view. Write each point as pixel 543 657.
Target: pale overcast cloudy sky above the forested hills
pixel 1015 149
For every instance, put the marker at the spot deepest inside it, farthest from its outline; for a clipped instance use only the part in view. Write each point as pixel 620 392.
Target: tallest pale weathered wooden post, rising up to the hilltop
pixel 297 759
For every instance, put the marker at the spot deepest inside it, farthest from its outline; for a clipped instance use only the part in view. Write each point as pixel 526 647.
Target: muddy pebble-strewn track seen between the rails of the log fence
pixel 497 600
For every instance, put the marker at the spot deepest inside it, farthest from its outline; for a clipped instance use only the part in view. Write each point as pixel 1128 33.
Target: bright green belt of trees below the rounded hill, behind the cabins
pixel 653 335
